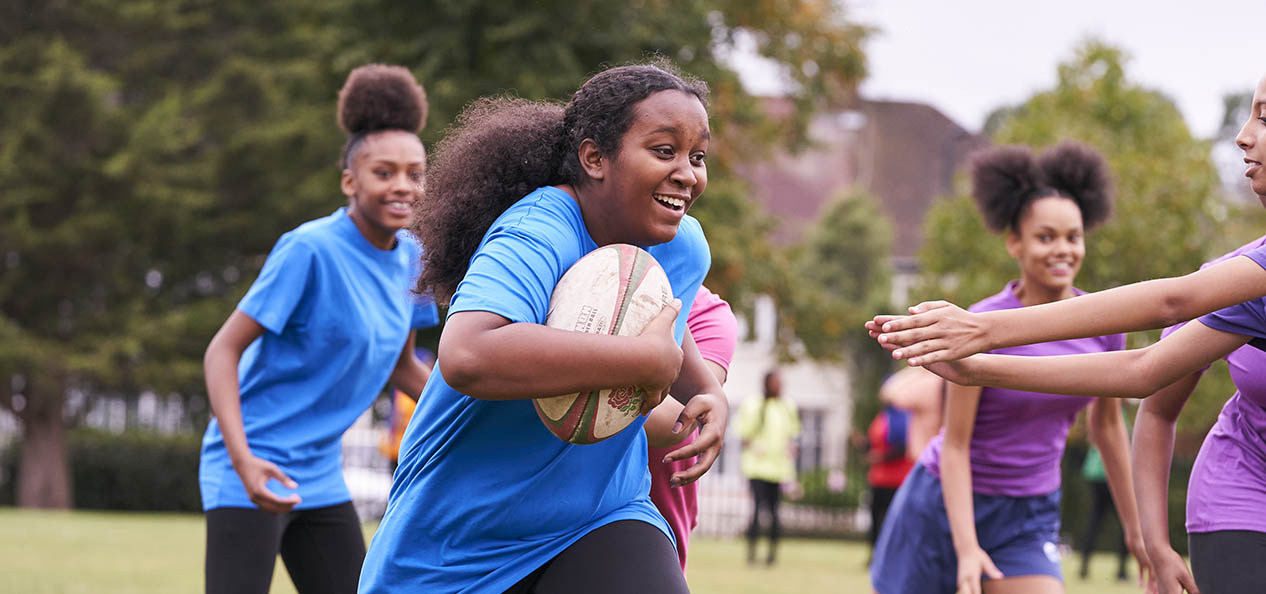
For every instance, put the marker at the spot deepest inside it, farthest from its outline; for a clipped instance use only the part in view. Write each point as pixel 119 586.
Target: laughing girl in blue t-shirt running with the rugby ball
pixel 486 498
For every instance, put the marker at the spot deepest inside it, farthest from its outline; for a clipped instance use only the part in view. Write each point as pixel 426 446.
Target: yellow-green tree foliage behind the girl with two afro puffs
pixel 1169 201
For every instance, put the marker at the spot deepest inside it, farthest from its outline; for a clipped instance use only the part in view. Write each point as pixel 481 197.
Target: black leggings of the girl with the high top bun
pixel 323 550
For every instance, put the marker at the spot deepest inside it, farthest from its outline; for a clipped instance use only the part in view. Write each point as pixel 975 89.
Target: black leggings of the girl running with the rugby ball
pixel 637 553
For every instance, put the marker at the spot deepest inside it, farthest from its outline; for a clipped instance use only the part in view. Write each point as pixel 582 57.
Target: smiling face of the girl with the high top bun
pixel 384 180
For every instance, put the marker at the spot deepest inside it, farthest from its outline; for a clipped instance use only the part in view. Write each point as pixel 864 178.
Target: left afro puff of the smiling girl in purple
pixel 1003 180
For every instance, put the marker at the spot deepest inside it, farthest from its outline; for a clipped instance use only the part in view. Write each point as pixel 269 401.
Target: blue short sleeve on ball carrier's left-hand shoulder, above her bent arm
pixel 511 275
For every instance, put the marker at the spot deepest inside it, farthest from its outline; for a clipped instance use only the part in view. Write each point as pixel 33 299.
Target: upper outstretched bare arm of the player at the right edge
pixel 943 332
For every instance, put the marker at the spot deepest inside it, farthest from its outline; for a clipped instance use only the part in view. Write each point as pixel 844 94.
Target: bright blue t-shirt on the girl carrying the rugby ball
pixel 486 495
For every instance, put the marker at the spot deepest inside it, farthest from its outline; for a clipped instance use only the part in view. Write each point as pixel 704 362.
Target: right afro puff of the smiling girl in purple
pixel 1081 173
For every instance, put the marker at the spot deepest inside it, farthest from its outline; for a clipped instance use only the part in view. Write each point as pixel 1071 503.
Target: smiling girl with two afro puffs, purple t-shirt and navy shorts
pixel 984 498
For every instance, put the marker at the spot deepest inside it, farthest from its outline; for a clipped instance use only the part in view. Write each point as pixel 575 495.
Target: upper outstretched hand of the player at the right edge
pixel 935 331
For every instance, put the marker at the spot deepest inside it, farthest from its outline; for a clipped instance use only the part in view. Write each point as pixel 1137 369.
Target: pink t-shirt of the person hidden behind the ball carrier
pixel 715 330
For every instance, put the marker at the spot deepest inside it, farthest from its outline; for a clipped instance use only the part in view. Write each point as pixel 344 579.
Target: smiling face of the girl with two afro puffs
pixel 1050 248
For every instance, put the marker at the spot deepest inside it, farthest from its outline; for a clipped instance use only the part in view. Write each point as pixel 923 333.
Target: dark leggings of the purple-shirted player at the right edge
pixel 1229 562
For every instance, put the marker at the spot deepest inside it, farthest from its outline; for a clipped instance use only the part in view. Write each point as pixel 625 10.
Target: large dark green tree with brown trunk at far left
pixel 151 155
